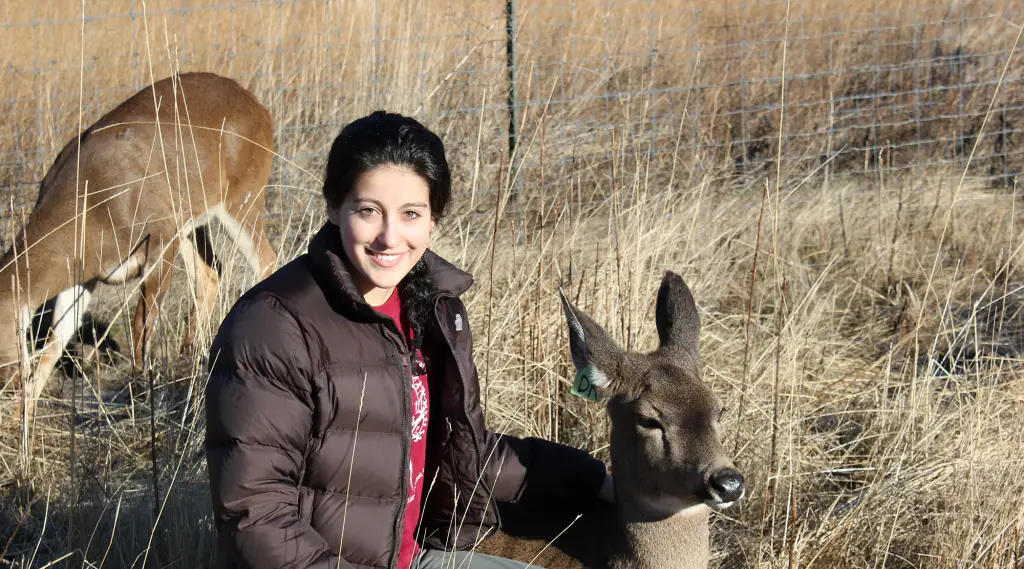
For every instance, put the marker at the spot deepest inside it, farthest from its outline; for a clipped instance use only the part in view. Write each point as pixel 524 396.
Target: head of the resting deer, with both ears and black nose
pixel 667 431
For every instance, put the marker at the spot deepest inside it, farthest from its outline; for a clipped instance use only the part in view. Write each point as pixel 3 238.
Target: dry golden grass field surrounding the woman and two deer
pixel 856 253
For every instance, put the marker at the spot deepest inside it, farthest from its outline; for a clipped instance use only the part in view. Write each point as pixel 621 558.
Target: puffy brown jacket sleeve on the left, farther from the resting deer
pixel 260 417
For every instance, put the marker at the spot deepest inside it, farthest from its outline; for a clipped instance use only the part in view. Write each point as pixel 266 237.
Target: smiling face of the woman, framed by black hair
pixel 386 229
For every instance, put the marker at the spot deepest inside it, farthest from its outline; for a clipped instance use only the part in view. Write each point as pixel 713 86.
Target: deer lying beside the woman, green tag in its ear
pixel 670 466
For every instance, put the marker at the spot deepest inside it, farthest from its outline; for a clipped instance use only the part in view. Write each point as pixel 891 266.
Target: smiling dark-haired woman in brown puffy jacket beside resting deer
pixel 344 405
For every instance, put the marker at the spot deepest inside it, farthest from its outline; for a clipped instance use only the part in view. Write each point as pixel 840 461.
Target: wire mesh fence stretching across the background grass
pixel 724 93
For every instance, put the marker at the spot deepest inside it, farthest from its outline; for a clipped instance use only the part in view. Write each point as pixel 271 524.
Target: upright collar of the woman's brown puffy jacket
pixel 329 258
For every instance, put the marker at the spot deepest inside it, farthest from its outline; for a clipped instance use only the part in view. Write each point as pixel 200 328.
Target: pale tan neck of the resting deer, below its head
pixel 652 540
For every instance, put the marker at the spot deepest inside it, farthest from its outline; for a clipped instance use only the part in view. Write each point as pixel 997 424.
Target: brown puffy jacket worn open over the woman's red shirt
pixel 298 473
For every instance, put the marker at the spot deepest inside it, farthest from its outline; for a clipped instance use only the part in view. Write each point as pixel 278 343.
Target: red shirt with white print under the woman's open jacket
pixel 418 431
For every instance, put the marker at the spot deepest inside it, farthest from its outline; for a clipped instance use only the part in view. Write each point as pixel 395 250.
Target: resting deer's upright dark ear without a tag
pixel 677 321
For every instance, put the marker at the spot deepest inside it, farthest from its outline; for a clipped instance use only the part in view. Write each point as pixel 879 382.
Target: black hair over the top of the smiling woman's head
pixel 388 140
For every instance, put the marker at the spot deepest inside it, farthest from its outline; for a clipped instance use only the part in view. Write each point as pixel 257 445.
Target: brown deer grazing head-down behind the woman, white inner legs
pixel 124 200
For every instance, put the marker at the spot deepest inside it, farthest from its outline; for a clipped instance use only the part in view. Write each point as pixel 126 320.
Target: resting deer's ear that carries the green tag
pixel 591 346
